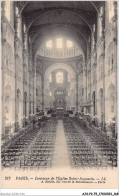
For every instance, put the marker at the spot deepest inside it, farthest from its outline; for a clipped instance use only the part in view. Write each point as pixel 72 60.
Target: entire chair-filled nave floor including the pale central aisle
pixel 59 143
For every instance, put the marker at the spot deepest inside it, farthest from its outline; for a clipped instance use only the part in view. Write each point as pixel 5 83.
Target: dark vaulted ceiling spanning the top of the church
pixel 73 18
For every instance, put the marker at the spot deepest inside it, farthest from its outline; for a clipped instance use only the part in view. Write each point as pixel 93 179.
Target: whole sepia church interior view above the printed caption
pixel 59 84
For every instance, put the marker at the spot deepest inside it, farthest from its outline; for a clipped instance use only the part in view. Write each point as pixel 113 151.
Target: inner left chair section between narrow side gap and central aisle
pixel 40 154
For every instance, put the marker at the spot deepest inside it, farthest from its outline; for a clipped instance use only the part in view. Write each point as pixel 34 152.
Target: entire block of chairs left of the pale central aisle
pixel 33 149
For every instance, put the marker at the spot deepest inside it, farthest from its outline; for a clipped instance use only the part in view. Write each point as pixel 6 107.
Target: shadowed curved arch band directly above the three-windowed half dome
pixel 71 32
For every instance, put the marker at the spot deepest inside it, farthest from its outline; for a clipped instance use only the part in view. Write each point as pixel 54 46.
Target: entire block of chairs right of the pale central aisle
pixel 86 149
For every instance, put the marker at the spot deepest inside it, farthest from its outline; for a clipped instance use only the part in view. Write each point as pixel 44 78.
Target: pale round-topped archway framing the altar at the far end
pixel 49 96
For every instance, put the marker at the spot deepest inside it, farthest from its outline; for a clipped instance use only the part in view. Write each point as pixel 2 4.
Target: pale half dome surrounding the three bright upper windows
pixel 63 52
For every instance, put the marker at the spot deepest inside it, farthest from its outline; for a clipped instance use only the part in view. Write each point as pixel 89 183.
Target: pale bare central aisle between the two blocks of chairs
pixel 60 158
